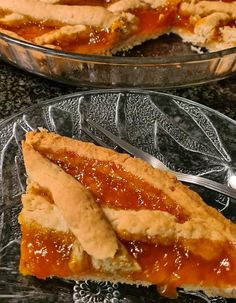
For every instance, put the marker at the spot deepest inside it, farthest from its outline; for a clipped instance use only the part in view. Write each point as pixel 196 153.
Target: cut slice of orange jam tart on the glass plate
pixel 56 201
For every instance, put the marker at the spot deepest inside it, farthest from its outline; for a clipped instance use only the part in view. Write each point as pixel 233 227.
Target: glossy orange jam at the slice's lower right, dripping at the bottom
pixel 171 266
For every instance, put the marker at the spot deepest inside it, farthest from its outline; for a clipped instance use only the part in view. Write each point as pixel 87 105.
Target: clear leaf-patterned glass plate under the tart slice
pixel 186 136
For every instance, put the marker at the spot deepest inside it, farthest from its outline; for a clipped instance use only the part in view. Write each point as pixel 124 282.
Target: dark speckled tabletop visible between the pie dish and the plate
pixel 19 90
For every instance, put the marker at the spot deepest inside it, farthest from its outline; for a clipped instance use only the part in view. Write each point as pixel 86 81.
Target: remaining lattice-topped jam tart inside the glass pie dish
pixel 104 27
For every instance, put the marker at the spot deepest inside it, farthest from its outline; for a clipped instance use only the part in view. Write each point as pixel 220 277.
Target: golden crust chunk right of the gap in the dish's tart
pixel 209 21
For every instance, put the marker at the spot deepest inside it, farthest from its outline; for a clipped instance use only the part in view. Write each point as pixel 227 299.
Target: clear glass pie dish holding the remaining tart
pixel 167 70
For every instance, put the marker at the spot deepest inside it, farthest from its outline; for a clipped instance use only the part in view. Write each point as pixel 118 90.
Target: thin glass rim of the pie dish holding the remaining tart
pixel 142 61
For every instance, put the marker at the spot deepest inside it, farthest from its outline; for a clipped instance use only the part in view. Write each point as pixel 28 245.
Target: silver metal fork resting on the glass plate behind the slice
pixel 207 183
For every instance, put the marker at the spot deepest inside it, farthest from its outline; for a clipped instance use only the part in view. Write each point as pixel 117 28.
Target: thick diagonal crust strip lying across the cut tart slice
pixel 75 203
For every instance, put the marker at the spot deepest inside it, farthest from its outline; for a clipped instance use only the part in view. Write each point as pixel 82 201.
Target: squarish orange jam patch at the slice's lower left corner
pixel 45 252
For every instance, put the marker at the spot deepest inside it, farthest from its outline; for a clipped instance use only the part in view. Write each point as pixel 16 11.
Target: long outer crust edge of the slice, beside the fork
pixel 192 203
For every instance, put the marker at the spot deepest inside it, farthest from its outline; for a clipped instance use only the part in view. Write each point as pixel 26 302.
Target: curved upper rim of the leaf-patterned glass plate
pixel 57 99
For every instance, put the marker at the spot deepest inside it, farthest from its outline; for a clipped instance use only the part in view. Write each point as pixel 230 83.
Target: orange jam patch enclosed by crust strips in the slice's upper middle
pixel 114 187
